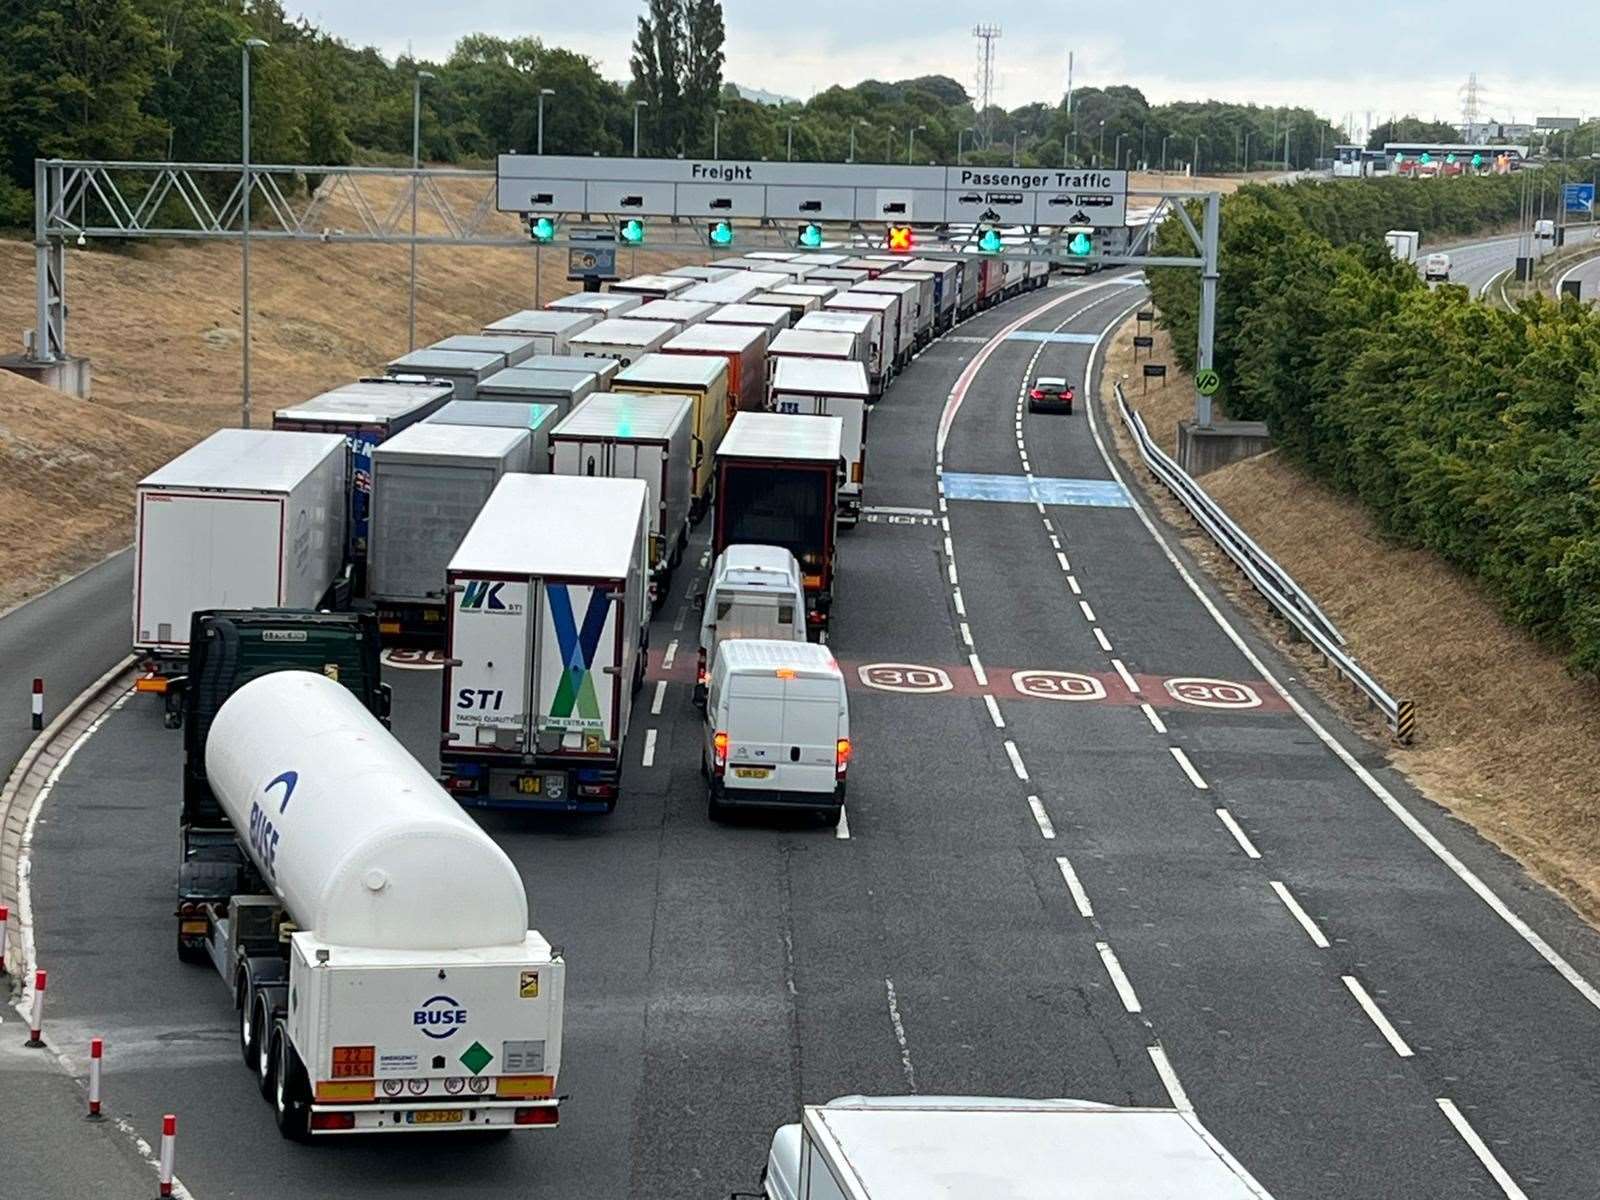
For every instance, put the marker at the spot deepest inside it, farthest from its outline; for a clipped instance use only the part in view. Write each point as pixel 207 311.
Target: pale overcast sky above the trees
pixel 1338 58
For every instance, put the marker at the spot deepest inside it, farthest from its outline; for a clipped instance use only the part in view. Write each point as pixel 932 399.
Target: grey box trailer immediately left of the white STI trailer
pixel 428 489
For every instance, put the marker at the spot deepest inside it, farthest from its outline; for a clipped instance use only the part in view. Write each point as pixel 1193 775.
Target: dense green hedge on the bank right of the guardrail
pixel 1465 430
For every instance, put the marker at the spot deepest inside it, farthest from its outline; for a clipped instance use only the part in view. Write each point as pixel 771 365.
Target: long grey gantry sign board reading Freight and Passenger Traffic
pixel 860 193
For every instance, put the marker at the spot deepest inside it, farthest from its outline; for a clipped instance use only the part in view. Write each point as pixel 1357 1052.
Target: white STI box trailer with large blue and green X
pixel 550 614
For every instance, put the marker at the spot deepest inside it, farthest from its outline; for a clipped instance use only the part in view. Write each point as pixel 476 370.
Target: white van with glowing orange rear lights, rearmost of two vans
pixel 777 729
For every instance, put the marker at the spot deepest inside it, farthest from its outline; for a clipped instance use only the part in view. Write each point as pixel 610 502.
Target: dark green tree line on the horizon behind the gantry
pixel 161 79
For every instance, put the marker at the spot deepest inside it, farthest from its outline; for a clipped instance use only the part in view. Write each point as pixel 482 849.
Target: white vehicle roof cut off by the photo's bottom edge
pixel 967 1148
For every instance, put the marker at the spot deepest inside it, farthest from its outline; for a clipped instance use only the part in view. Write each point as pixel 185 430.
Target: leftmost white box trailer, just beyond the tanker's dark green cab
pixel 247 519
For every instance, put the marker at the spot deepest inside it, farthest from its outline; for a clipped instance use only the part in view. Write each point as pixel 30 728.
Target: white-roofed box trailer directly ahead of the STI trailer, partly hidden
pixel 646 438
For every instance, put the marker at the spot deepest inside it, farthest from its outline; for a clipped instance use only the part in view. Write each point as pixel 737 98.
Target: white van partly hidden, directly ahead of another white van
pixel 756 591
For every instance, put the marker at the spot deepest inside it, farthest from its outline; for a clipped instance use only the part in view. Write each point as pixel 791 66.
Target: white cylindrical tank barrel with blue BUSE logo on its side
pixel 359 842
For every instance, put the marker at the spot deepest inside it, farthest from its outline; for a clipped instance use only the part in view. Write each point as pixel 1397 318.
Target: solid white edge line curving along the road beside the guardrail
pixel 1460 870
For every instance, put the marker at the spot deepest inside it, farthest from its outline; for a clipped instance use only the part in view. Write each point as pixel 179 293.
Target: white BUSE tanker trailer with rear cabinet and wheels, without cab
pixel 382 961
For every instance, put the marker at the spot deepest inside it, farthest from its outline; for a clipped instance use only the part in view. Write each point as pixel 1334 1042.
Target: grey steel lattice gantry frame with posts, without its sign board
pixel 76 201
